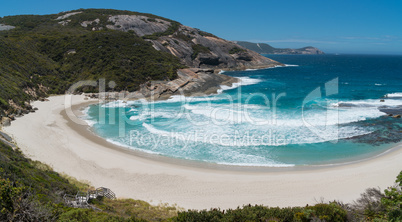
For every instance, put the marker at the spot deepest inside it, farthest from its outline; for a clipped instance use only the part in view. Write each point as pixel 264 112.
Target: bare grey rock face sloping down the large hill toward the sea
pixel 193 47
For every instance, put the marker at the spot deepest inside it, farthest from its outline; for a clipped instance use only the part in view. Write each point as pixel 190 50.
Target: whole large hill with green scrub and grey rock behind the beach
pixel 42 54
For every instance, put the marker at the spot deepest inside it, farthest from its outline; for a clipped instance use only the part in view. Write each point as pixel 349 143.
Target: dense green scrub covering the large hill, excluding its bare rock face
pixel 43 57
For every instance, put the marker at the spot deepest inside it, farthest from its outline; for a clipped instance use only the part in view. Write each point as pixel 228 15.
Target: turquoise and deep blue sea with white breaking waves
pixel 319 109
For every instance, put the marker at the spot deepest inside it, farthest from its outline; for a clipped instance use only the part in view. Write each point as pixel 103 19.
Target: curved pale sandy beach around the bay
pixel 71 148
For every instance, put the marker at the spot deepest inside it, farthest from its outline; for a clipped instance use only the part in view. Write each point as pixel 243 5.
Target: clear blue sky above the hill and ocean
pixel 360 26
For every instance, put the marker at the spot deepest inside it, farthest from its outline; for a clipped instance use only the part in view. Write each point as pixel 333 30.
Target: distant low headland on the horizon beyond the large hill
pixel 264 48
